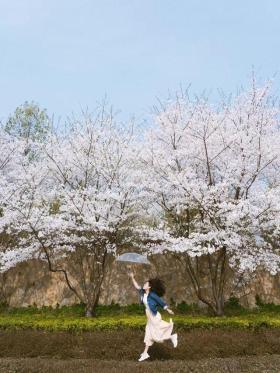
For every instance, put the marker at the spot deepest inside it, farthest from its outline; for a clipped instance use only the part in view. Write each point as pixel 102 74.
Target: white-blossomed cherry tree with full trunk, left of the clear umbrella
pixel 74 204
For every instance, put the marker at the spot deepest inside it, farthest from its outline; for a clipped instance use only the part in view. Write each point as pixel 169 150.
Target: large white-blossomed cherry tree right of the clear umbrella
pixel 213 174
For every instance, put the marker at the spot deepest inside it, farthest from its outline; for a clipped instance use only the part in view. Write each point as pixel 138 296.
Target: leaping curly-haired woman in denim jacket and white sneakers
pixel 157 330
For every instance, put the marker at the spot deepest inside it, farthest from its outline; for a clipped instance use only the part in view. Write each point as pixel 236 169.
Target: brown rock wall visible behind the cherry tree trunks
pixel 32 283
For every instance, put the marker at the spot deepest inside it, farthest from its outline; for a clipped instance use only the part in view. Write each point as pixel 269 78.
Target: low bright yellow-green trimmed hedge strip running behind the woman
pixel 134 322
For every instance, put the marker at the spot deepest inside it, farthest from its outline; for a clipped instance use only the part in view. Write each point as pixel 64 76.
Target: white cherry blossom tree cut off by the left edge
pixel 18 171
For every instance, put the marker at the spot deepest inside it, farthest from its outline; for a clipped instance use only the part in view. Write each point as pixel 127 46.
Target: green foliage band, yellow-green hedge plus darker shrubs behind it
pixel 115 317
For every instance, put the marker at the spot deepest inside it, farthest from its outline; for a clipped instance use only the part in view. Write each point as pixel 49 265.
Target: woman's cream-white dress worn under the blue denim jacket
pixel 157 330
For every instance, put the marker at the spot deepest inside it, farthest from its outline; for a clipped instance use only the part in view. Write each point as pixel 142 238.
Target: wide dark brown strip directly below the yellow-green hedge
pixel 126 345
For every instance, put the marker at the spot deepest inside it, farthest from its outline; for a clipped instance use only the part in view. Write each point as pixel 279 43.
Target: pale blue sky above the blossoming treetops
pixel 67 55
